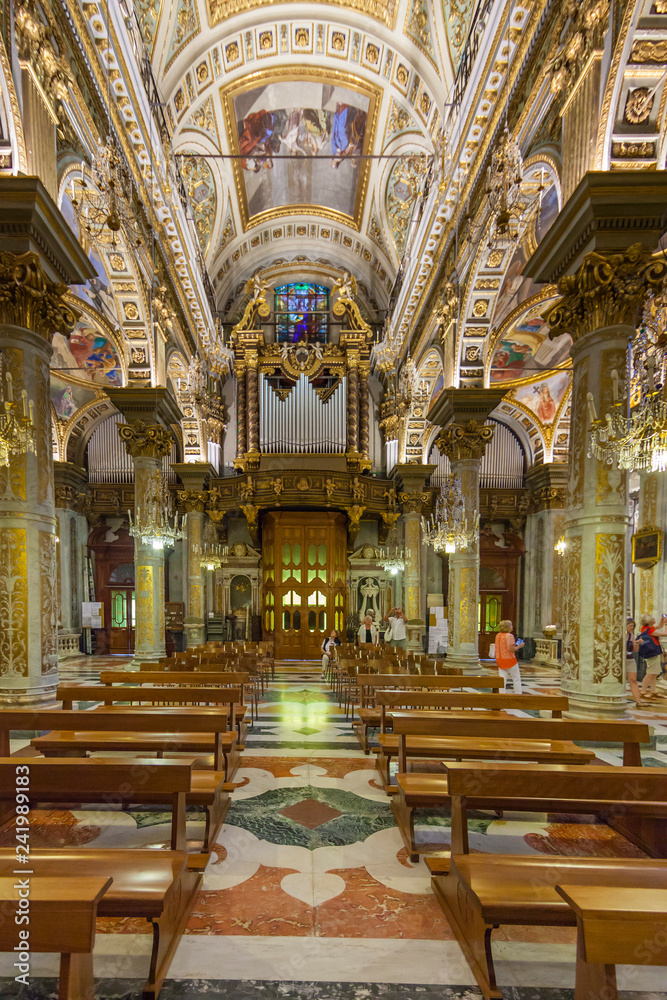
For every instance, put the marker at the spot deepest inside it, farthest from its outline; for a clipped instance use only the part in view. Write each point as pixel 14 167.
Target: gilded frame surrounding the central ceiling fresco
pixel 336 77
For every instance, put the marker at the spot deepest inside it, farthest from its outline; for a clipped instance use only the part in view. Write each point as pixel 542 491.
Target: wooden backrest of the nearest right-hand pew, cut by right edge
pixel 533 786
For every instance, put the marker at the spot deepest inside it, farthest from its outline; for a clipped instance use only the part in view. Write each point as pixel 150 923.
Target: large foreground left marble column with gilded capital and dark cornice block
pixel 39 257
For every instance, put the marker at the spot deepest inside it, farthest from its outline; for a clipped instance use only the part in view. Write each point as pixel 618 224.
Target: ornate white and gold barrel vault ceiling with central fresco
pixel 274 102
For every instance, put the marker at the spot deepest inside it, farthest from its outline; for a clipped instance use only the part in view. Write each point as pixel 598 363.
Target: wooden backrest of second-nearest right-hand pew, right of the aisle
pixel 630 734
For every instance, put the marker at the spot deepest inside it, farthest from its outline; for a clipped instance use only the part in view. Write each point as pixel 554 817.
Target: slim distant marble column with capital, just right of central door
pixel 414 498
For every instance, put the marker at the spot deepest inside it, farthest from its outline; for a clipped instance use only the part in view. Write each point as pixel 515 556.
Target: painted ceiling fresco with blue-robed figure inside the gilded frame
pixel 320 143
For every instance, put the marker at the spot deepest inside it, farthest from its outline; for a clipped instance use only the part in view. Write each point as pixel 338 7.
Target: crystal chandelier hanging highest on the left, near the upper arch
pixel 107 203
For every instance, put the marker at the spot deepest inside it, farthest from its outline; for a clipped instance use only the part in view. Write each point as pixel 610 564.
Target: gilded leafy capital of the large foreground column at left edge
pixel 28 299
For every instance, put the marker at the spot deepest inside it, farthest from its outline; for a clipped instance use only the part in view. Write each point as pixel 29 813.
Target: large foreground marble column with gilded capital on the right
pixel 598 308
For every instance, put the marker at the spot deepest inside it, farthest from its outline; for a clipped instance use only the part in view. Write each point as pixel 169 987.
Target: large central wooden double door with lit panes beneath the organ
pixel 304 570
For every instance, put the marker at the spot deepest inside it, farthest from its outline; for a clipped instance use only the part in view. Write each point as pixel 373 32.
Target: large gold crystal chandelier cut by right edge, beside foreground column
pixel 637 441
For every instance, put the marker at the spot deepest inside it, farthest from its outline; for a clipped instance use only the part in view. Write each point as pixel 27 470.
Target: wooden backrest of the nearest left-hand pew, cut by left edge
pixel 103 781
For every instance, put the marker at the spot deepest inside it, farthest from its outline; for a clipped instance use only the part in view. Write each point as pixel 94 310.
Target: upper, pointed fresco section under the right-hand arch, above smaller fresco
pixel 525 348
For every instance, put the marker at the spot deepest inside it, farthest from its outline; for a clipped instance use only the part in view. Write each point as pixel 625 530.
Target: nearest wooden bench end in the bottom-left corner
pixel 62 921
